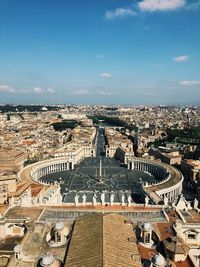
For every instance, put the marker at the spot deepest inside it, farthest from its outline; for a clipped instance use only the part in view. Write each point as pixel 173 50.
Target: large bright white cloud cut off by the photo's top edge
pixel 160 5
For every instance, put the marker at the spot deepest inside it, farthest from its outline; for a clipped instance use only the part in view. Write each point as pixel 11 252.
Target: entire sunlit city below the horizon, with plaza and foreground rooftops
pixel 67 172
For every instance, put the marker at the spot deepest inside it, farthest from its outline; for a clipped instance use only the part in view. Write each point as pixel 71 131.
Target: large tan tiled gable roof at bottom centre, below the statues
pixel 102 240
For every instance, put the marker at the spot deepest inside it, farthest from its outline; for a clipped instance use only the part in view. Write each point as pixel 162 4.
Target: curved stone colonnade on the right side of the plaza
pixel 170 180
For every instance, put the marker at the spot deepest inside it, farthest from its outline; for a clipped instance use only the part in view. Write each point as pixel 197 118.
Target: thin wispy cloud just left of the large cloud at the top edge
pixel 119 12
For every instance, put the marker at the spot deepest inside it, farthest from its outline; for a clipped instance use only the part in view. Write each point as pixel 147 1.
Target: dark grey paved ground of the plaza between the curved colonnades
pixel 91 176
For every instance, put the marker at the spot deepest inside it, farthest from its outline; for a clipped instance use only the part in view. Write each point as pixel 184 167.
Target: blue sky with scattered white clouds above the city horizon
pixel 140 52
